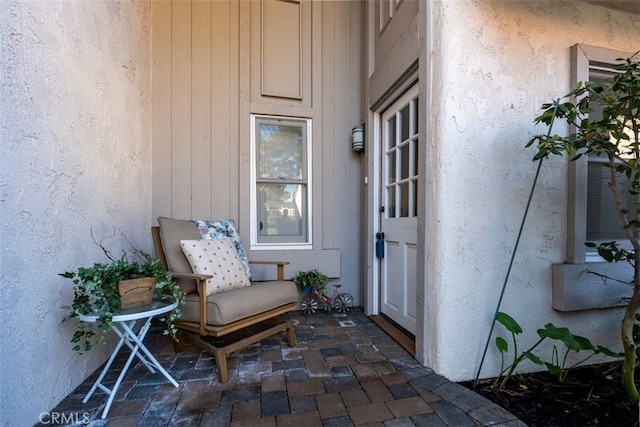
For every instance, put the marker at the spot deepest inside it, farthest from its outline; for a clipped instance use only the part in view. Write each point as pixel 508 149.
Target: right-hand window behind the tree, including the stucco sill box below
pixel 582 282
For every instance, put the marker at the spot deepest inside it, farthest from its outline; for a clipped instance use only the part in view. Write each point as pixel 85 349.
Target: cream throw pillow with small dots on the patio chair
pixel 219 258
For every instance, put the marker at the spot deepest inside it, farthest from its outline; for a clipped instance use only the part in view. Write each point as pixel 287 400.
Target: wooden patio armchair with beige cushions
pixel 221 313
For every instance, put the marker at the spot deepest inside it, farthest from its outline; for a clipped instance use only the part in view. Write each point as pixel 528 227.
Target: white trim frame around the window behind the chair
pixel 255 245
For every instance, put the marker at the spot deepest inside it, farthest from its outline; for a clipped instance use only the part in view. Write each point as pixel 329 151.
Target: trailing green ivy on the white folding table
pixel 96 291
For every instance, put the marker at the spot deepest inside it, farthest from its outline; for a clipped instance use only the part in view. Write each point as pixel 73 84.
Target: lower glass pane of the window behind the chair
pixel 281 210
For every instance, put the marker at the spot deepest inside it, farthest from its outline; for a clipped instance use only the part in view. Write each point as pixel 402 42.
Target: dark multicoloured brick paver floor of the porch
pixel 344 371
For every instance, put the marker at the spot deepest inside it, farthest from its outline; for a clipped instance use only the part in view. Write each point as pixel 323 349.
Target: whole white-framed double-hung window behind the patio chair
pixel 281 182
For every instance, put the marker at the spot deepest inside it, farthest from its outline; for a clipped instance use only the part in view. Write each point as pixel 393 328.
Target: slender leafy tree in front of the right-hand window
pixel 616 138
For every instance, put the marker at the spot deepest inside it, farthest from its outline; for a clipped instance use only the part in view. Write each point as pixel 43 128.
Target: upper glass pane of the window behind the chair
pixel 281 151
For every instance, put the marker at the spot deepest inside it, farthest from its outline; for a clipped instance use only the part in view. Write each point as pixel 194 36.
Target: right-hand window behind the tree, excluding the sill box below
pixel 592 214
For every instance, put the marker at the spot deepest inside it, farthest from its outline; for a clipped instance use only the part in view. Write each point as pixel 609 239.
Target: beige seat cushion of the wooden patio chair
pixel 227 307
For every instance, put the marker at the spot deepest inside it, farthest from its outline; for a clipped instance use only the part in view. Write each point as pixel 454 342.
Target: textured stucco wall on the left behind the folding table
pixel 75 157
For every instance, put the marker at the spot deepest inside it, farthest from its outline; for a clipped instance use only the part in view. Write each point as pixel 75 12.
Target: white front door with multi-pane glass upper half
pixel 398 218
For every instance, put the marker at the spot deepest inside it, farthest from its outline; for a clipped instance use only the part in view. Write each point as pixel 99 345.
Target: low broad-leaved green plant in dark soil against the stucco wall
pixel 557 366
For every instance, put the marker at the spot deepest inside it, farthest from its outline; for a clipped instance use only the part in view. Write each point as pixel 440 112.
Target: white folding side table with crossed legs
pixel 123 324
